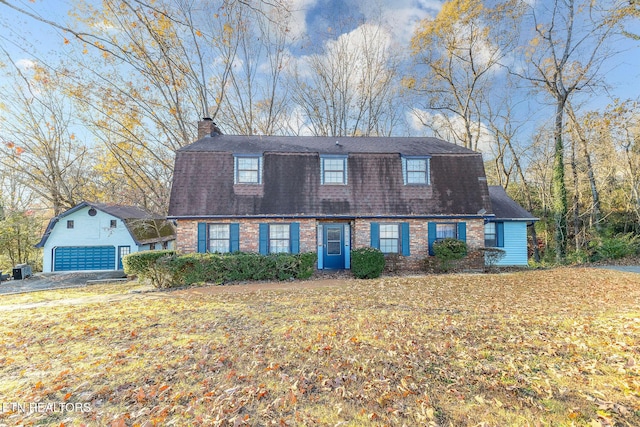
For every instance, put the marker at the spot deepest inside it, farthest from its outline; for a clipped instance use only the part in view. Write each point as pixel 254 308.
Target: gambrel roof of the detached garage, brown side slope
pixel 143 226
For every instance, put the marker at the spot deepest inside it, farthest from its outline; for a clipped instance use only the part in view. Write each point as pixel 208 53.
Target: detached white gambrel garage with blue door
pixel 96 236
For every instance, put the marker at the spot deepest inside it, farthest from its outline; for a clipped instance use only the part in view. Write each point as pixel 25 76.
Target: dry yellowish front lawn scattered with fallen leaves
pixel 539 348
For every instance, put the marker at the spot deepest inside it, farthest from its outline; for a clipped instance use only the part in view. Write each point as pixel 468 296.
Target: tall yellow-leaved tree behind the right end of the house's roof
pixel 458 55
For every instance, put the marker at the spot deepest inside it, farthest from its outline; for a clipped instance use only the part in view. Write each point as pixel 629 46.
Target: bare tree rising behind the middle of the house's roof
pixel 349 89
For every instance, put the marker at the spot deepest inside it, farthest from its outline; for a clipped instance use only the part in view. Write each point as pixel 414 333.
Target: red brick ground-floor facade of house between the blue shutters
pixel 187 236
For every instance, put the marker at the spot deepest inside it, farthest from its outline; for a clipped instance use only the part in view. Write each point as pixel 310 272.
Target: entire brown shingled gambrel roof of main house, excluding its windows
pixel 203 183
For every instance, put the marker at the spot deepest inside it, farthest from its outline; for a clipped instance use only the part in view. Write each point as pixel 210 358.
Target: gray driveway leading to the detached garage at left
pixel 46 281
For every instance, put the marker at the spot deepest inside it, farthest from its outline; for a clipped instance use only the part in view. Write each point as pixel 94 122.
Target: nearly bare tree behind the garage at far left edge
pixel 38 139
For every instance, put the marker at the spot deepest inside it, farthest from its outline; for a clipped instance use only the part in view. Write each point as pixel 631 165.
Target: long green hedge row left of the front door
pixel 167 269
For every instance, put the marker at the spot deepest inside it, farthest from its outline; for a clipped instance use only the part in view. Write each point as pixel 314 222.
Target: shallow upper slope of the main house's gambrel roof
pixel 417 146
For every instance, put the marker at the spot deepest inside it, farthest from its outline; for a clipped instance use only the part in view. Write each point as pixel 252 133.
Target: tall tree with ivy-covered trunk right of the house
pixel 565 56
